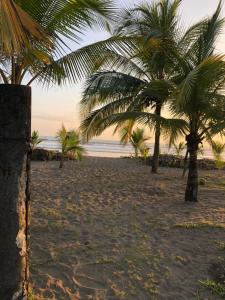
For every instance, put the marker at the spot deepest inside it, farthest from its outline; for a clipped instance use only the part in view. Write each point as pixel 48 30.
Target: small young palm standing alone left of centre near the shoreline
pixel 70 144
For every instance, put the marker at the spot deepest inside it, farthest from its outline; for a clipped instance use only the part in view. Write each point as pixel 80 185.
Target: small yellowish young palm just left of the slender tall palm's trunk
pixel 137 139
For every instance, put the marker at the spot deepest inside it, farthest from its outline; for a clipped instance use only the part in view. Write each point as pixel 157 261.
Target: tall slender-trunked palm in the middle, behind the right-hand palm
pixel 141 79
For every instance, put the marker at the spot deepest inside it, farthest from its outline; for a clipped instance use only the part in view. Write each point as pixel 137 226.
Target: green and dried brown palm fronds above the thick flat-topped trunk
pixel 47 60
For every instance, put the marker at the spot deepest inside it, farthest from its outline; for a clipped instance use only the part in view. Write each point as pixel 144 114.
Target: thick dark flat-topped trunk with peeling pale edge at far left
pixel 15 130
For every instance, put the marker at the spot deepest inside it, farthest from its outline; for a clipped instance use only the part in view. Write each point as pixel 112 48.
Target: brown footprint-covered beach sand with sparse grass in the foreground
pixel 106 228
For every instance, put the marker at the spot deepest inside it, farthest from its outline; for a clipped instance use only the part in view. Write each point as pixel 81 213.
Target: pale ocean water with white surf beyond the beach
pixel 108 148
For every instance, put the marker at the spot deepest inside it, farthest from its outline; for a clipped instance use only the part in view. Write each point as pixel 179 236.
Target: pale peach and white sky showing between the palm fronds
pixel 57 105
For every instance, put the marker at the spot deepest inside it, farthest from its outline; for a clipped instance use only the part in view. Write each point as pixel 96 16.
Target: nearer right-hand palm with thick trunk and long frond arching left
pixel 197 101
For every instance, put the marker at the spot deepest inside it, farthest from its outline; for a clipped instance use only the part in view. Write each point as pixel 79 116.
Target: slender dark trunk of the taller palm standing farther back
pixel 155 158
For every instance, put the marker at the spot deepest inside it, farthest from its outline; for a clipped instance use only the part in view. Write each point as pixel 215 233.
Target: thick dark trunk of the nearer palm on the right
pixel 191 194
